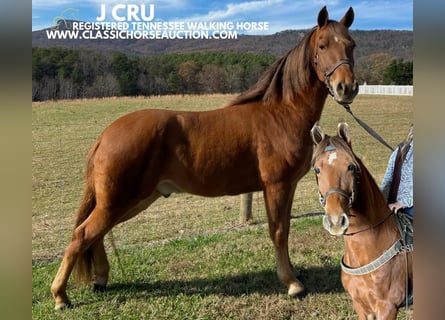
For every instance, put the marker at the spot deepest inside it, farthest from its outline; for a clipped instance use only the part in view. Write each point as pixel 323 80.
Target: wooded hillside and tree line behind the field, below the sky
pixel 68 69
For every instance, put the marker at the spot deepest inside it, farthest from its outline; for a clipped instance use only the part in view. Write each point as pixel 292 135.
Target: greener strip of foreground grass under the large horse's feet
pixel 221 276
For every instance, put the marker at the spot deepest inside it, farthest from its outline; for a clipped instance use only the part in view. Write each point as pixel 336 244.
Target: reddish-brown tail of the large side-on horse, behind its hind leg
pixel 84 263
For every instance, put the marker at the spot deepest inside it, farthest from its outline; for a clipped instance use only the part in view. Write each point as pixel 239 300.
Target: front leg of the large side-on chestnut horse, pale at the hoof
pixel 278 198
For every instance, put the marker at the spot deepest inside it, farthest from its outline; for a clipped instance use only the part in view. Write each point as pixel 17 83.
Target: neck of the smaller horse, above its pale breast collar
pixel 372 215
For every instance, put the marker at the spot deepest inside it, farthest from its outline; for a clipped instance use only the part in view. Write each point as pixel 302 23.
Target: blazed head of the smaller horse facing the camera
pixel 337 173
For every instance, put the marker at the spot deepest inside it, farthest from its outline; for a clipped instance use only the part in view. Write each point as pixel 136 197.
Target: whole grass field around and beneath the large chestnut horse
pixel 188 257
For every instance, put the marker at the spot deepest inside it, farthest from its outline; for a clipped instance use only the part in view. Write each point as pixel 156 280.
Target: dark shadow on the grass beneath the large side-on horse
pixel 316 280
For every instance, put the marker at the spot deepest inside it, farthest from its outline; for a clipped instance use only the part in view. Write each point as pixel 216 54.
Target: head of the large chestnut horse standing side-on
pixel 332 56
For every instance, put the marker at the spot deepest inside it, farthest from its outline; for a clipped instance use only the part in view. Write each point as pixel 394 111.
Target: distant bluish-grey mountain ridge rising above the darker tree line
pixel 398 44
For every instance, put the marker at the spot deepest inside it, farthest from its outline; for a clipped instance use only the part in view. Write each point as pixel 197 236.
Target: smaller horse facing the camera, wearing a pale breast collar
pixel 377 263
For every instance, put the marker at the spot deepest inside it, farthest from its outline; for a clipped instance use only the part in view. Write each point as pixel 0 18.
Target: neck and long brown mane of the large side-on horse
pixel 290 87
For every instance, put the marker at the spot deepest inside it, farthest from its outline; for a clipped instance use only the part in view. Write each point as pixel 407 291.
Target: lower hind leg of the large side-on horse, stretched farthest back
pixel 91 230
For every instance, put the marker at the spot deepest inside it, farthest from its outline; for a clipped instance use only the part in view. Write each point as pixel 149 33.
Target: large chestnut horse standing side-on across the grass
pixel 261 141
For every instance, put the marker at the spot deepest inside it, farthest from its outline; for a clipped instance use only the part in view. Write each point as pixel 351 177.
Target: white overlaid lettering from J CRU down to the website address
pixel 131 21
